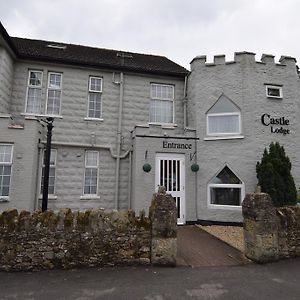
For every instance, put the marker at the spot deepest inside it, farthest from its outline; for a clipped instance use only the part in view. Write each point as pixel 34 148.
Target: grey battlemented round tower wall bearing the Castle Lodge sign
pixel 243 81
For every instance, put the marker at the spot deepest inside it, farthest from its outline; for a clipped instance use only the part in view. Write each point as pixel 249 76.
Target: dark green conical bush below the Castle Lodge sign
pixel 274 176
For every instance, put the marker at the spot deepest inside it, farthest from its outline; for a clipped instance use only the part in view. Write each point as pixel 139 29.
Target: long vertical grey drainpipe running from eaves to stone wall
pixel 119 139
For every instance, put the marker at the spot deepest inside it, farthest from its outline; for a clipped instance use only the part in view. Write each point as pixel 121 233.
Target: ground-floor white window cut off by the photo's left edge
pixel 6 152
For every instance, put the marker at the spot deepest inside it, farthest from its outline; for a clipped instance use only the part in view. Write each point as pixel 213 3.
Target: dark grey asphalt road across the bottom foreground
pixel 277 281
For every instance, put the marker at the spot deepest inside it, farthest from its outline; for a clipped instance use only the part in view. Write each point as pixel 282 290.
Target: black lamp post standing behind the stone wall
pixel 49 122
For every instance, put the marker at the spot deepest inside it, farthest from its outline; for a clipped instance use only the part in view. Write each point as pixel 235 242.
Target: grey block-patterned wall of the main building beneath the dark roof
pixel 73 133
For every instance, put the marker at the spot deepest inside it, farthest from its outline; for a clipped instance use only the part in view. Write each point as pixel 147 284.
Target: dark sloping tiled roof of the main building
pixel 39 50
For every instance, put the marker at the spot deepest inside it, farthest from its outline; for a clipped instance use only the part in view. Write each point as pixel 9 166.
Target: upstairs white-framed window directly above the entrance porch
pixel 162 103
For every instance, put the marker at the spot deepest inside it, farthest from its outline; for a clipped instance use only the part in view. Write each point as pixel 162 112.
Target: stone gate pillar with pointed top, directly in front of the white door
pixel 163 215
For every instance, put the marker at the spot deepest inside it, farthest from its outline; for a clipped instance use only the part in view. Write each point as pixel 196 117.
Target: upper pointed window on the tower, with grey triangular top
pixel 223 118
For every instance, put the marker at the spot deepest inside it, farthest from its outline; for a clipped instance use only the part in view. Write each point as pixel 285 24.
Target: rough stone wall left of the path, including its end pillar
pixel 66 239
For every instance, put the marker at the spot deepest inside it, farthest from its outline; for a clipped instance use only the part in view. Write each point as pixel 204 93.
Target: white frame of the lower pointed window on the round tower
pixel 241 186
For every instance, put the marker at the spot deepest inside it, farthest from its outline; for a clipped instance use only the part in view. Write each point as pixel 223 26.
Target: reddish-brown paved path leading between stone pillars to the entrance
pixel 196 248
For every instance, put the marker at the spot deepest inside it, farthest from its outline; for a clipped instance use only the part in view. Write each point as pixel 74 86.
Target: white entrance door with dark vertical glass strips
pixel 169 173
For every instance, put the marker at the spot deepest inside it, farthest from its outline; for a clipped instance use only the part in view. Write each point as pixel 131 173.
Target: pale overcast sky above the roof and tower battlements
pixel 178 29
